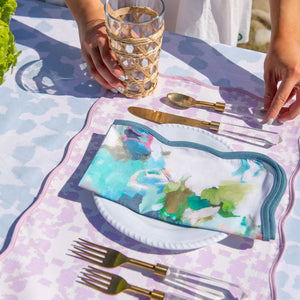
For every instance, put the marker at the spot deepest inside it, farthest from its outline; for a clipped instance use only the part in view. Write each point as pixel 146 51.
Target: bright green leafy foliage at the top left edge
pixel 8 51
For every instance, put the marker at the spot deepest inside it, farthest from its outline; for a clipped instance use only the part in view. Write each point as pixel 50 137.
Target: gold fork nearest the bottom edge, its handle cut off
pixel 113 284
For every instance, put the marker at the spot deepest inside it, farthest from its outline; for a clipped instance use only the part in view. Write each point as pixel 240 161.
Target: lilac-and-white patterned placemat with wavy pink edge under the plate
pixel 38 255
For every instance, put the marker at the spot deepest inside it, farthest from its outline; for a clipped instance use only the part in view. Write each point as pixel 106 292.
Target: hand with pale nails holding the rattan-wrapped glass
pixel 100 59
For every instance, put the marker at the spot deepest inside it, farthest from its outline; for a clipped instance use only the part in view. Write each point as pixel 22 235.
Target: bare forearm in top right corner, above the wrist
pixel 285 19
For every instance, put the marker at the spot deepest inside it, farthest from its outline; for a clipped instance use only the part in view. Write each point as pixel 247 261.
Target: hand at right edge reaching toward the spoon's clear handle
pixel 282 64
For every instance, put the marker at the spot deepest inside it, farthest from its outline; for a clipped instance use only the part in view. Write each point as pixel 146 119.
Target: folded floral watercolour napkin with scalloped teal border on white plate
pixel 186 183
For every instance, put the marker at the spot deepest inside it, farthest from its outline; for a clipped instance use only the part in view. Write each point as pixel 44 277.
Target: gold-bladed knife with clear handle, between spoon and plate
pixel 254 136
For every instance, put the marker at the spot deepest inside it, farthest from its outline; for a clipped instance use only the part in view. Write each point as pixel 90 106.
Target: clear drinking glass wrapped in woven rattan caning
pixel 135 31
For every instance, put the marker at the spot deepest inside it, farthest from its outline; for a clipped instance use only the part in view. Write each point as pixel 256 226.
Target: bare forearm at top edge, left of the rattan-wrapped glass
pixel 85 11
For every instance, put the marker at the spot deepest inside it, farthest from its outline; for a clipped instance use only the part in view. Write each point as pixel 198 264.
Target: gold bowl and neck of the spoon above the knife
pixel 187 101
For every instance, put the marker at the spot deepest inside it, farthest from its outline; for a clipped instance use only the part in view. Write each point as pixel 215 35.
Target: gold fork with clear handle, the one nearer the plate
pixel 210 287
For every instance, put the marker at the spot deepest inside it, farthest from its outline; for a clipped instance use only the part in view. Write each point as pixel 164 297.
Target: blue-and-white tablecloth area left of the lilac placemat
pixel 44 103
